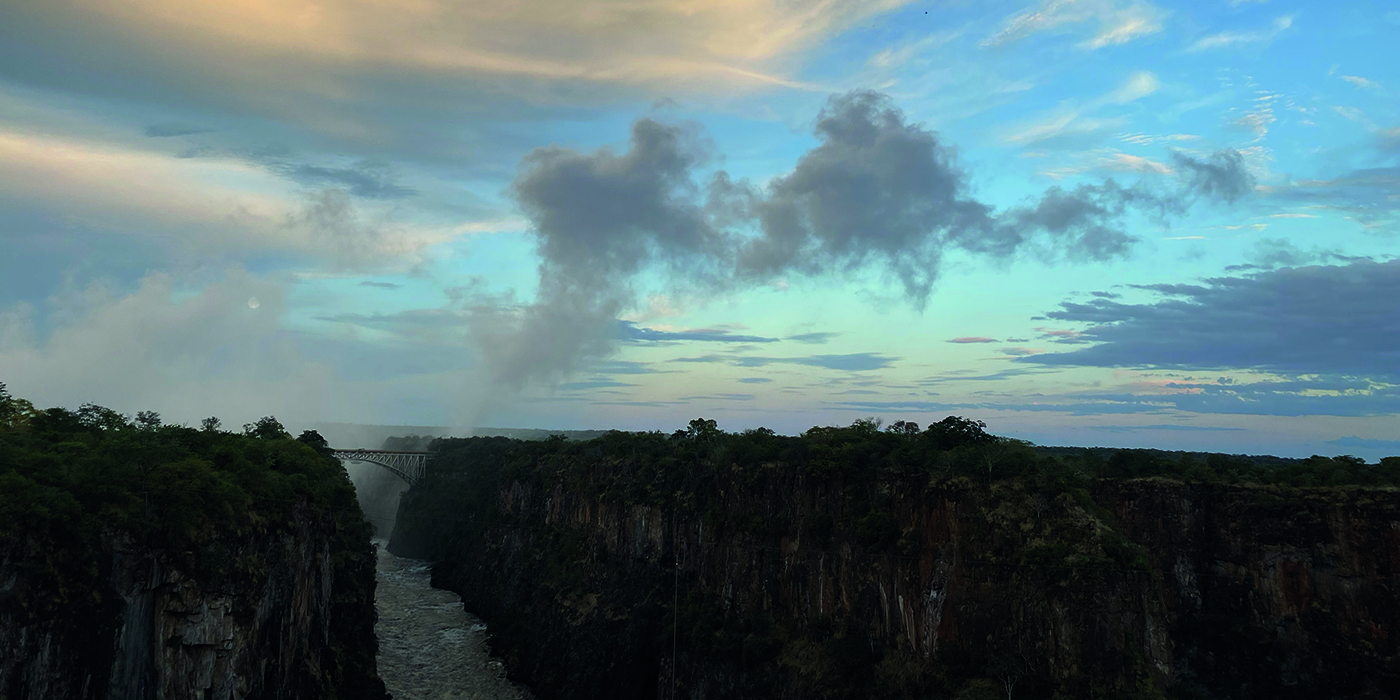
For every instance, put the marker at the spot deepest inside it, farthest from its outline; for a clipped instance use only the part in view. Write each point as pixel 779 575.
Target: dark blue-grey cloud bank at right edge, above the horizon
pixel 1319 320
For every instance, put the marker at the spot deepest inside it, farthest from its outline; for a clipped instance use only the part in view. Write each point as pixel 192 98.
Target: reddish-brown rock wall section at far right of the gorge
pixel 1272 593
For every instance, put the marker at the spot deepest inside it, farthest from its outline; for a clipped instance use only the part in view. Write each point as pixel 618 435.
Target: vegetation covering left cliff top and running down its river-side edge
pixel 79 485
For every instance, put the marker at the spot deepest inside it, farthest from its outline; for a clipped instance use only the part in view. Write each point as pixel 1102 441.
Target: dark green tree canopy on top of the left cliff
pixel 73 481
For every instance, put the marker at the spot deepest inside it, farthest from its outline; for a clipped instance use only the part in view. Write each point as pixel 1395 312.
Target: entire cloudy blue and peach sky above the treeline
pixel 1083 222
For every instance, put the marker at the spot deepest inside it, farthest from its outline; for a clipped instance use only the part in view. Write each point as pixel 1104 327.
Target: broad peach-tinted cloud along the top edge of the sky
pixel 325 48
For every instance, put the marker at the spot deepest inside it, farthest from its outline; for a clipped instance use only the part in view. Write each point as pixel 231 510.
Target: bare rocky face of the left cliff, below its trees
pixel 159 629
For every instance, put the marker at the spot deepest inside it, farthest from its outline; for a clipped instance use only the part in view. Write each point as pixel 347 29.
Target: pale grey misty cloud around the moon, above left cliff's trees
pixel 181 348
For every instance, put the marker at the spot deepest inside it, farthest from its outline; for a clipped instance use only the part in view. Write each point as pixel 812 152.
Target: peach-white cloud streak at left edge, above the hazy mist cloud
pixel 198 208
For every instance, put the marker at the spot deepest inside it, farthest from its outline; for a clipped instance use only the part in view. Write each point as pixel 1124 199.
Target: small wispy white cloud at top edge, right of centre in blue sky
pixel 1116 23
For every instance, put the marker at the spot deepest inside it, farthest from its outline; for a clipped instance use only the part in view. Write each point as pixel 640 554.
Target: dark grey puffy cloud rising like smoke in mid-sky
pixel 878 194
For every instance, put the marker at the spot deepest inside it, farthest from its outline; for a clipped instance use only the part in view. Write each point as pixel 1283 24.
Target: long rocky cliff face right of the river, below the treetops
pixel 787 584
